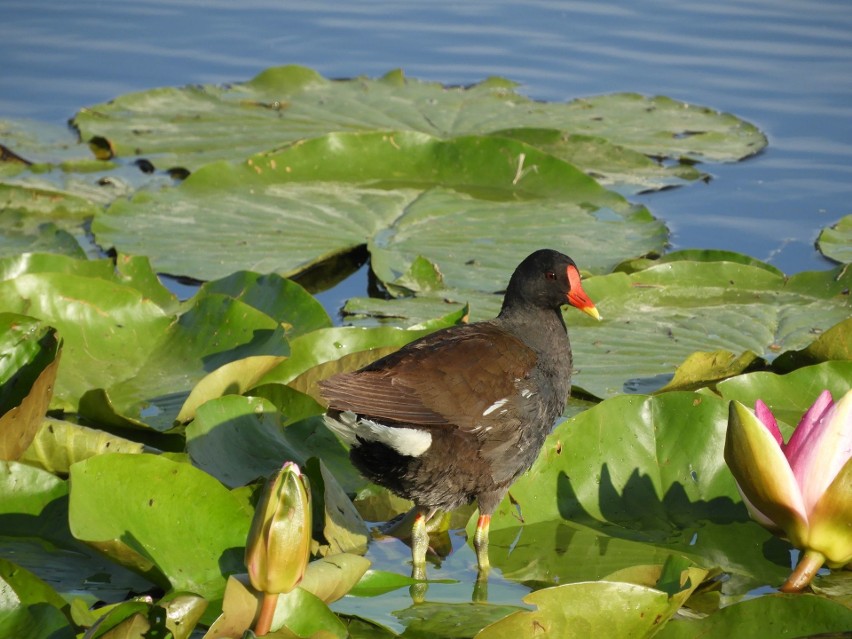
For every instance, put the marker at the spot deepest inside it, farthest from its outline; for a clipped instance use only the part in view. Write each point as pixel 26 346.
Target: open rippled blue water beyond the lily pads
pixel 782 64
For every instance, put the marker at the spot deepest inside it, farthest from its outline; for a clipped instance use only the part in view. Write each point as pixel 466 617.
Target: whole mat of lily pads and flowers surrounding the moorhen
pixel 162 333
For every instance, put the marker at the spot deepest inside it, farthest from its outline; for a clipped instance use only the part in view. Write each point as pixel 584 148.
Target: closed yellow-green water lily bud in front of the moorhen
pixel 279 541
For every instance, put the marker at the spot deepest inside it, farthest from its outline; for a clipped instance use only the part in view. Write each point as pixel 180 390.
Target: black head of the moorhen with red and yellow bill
pixel 547 279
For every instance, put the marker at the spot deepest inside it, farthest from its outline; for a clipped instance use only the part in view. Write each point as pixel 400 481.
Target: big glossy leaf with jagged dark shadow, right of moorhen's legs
pixel 642 478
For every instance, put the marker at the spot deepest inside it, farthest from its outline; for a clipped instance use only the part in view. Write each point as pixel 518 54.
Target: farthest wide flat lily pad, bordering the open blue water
pixel 194 125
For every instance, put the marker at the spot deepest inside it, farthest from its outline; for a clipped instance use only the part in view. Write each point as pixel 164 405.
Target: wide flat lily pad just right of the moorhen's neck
pixel 656 318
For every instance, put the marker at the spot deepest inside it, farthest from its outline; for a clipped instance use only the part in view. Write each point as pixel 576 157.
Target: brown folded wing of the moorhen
pixel 448 378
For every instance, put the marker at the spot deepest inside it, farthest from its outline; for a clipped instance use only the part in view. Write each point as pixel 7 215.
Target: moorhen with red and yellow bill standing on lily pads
pixel 459 414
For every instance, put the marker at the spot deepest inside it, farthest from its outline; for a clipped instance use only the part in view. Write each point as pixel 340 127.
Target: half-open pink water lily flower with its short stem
pixel 801 490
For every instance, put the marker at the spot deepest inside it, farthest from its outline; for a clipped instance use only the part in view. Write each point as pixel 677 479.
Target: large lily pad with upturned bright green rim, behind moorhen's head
pixel 403 194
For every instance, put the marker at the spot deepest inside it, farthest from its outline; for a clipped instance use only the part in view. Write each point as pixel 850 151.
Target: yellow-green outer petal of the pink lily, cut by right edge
pixel 831 521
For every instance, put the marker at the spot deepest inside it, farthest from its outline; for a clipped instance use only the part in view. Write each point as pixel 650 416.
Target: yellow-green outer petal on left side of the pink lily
pixel 763 474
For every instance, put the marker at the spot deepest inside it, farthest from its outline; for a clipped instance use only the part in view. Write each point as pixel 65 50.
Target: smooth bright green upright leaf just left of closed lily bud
pixel 145 511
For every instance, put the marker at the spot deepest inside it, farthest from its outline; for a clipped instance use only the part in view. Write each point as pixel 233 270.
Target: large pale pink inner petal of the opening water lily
pixel 824 446
